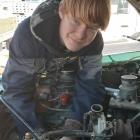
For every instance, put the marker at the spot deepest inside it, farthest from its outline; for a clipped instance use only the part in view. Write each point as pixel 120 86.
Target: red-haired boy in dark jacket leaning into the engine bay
pixel 57 29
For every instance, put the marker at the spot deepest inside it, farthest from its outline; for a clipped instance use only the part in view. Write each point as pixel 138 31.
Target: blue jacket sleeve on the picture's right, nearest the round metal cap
pixel 89 89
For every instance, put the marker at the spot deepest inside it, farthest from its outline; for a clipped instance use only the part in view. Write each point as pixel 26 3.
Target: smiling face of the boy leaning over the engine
pixel 74 34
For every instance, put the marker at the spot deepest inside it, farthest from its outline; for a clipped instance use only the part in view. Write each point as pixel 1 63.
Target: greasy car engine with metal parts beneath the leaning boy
pixel 120 119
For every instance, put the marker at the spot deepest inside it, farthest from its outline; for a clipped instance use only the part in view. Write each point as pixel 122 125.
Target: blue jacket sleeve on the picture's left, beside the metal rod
pixel 19 76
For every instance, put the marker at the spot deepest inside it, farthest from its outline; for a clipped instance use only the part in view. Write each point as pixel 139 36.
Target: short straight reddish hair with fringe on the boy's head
pixel 90 12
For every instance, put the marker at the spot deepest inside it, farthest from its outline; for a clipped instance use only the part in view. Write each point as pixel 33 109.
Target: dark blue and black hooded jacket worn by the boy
pixel 34 45
